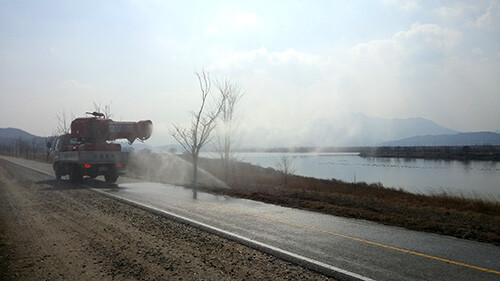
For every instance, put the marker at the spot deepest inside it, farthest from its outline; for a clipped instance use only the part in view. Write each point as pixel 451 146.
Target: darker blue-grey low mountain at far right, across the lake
pixel 479 138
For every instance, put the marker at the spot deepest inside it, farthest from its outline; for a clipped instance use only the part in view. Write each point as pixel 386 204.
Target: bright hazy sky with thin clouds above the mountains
pixel 296 61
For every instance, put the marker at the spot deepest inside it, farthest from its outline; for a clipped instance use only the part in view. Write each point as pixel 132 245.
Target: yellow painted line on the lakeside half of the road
pixel 355 239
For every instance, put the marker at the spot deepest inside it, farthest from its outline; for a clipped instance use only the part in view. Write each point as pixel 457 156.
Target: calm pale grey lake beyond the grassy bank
pixel 480 179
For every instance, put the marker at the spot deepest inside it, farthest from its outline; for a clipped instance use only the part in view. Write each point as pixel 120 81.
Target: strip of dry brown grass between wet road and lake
pixel 441 213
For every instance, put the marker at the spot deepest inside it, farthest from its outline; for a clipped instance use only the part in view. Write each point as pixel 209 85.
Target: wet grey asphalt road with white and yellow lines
pixel 358 248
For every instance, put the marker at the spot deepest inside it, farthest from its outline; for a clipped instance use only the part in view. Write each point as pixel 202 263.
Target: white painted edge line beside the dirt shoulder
pixel 312 264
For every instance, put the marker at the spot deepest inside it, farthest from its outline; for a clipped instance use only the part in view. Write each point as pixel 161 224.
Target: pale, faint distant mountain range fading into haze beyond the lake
pixel 351 129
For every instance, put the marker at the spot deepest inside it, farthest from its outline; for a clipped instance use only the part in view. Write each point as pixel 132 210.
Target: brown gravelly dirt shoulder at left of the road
pixel 53 230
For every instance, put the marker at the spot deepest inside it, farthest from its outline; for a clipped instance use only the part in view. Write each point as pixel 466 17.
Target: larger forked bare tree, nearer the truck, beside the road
pixel 203 122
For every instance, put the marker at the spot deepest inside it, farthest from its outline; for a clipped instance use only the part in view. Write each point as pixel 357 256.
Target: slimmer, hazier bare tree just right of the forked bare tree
pixel 225 142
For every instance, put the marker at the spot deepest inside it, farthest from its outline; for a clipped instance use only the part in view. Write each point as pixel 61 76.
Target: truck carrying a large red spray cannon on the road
pixel 89 148
